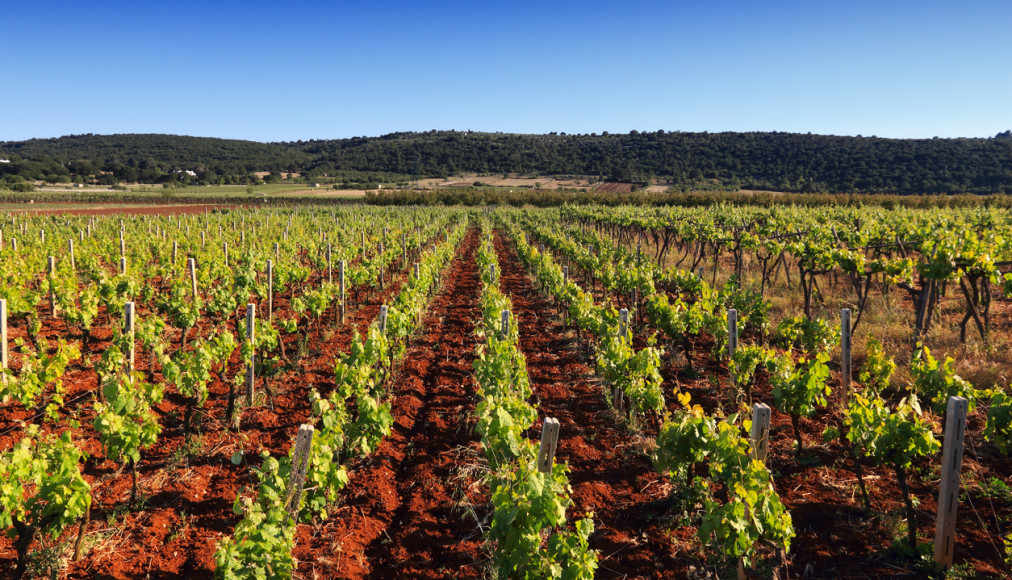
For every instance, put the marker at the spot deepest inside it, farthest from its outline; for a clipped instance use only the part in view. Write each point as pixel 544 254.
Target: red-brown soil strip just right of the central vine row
pixel 611 475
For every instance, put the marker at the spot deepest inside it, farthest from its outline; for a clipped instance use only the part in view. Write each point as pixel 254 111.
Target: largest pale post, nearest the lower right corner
pixel 949 491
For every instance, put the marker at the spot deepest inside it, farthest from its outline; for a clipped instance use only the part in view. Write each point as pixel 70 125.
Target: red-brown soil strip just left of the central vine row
pixel 399 518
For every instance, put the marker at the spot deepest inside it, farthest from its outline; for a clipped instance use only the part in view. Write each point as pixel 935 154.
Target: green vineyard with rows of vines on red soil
pixel 584 392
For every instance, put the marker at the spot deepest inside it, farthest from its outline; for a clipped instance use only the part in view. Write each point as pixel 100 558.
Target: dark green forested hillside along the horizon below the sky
pixel 777 161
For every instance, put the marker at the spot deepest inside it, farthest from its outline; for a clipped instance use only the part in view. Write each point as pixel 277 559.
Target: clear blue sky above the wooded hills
pixel 285 71
